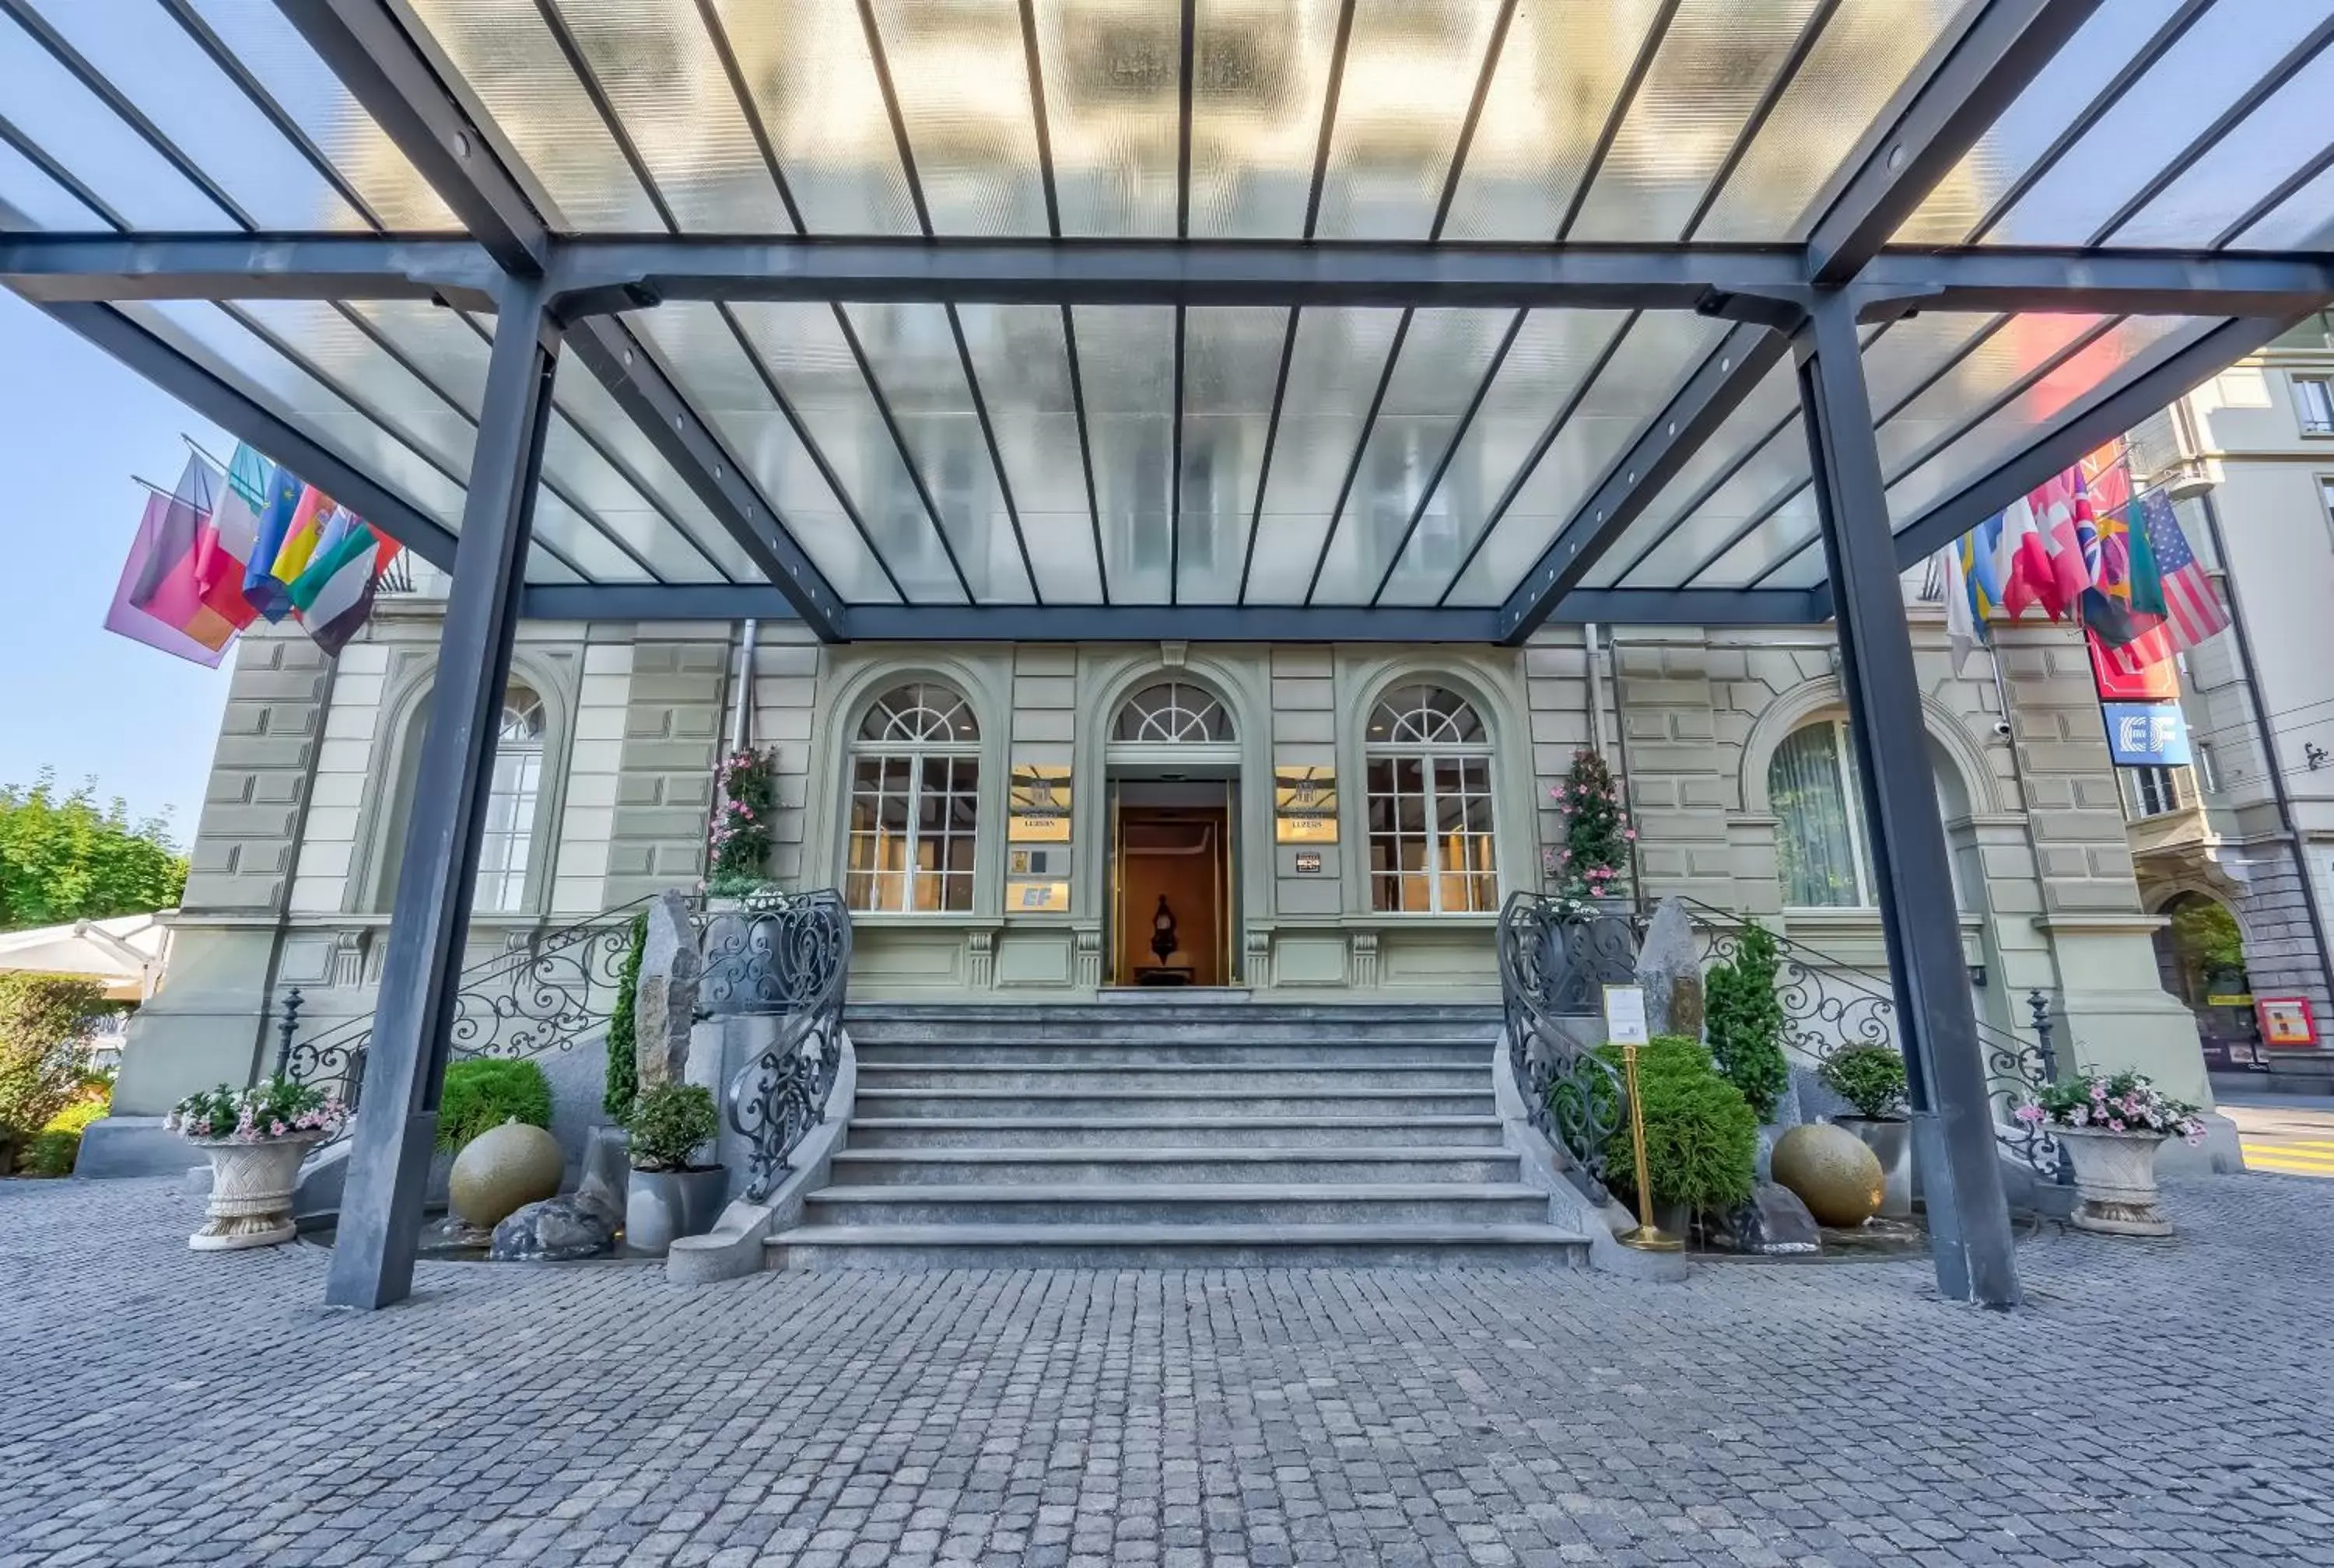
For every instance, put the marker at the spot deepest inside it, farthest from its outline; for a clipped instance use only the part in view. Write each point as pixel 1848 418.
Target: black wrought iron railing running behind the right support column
pixel 1831 1004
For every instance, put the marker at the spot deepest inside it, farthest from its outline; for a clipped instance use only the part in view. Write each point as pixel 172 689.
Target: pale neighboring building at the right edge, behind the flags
pixel 2251 461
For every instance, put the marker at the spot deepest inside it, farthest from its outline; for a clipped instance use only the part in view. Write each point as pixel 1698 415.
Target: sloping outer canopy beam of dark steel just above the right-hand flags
pixel 2106 414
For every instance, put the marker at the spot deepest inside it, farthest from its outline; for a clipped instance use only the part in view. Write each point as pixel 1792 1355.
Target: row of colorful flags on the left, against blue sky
pixel 214 556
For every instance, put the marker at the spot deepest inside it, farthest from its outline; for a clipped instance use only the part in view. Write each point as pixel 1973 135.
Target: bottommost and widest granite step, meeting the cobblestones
pixel 1178 1247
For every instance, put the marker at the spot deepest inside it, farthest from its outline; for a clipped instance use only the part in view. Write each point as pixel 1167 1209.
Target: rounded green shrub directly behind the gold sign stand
pixel 1700 1130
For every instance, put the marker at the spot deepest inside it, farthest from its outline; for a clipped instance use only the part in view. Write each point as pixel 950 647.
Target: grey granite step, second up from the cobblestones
pixel 1147 1203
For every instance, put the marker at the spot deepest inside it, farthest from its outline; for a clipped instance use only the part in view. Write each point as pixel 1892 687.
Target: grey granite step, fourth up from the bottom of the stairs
pixel 1213 1130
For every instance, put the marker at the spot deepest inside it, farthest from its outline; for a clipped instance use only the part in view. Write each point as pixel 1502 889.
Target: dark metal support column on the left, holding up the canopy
pixel 382 1214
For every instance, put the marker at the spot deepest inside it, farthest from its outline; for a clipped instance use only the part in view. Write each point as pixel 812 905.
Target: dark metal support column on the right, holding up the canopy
pixel 1948 1079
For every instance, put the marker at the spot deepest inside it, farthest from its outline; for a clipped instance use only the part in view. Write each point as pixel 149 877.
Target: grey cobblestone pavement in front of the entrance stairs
pixel 172 1408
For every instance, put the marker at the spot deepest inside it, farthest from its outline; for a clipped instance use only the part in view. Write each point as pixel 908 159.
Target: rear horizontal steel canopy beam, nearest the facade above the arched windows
pixel 1163 622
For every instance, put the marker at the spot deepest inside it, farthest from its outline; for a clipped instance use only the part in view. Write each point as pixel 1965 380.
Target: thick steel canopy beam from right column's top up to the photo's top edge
pixel 1931 125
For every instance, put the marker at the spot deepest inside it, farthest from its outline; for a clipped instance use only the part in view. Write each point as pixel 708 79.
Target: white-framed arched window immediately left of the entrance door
pixel 916 804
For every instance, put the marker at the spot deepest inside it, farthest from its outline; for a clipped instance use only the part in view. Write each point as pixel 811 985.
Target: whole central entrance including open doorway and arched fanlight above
pixel 1173 785
